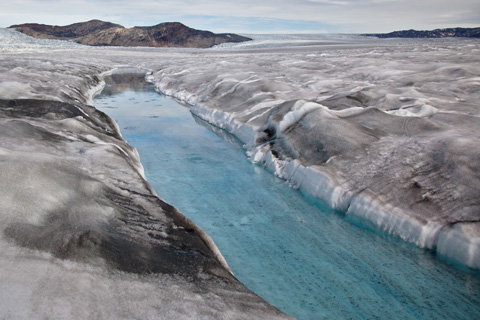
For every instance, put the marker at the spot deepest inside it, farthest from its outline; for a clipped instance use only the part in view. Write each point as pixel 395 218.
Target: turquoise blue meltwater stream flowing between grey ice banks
pixel 299 255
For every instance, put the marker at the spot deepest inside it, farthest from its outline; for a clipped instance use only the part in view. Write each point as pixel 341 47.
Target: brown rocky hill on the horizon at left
pixel 101 33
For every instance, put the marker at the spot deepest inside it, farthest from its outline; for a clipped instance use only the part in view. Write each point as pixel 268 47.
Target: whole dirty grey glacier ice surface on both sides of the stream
pixel 385 131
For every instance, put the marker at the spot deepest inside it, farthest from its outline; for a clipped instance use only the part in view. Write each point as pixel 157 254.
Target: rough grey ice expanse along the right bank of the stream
pixel 386 132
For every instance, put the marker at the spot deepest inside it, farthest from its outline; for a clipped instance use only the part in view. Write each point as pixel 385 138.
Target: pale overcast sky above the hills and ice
pixel 253 16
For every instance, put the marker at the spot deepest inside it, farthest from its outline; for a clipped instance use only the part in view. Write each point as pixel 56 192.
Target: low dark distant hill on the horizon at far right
pixel 437 33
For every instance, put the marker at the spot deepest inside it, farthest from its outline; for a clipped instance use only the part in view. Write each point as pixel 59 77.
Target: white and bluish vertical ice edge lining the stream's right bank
pixel 458 243
